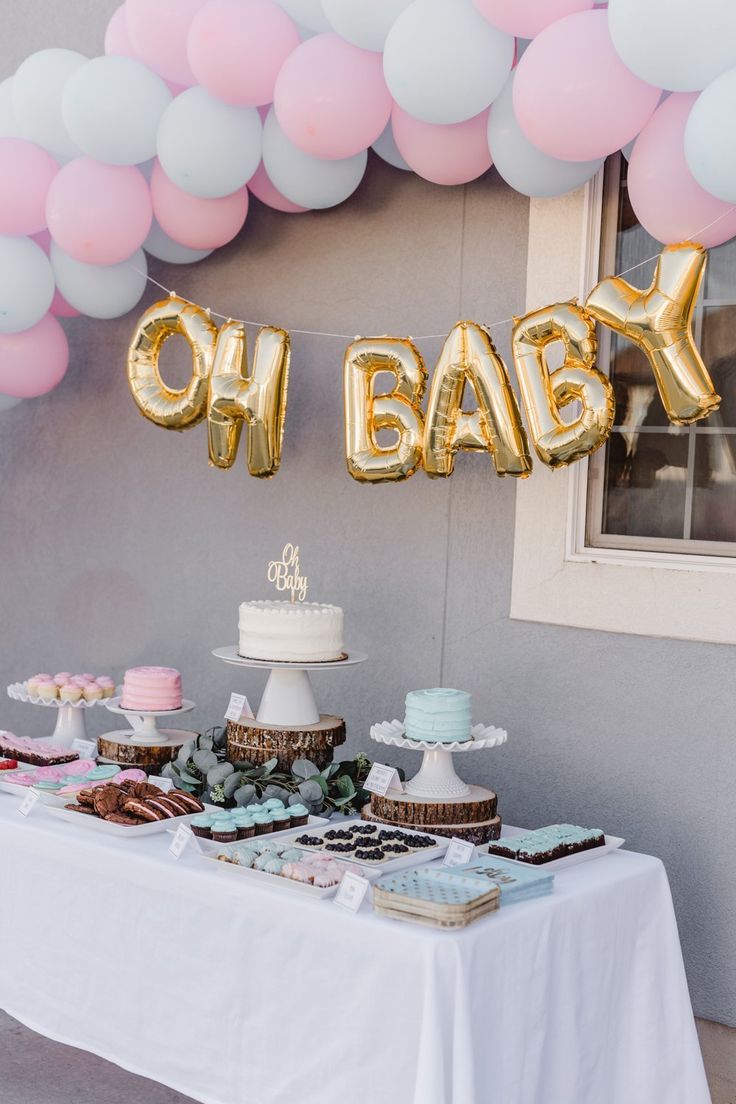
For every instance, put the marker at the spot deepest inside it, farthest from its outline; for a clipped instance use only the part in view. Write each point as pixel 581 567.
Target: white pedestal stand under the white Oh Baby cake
pixel 289 698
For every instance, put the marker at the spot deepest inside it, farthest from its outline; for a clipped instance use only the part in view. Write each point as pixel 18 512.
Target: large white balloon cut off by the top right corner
pixel 676 46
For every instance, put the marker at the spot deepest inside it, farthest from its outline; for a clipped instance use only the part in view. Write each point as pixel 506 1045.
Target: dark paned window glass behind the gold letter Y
pixel 657 487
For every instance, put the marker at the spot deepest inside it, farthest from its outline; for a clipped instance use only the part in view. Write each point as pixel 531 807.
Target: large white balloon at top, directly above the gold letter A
pixel 444 62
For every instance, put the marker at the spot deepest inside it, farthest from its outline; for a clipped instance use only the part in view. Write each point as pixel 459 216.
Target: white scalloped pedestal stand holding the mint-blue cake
pixel 436 779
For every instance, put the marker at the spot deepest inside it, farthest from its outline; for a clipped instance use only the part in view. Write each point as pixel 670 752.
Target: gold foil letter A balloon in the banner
pixel 470 357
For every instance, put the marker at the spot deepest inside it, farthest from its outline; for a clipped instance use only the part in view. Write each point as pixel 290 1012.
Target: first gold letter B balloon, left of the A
pixel 367 413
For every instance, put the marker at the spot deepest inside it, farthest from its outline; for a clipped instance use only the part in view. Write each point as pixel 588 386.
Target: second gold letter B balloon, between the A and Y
pixel 545 394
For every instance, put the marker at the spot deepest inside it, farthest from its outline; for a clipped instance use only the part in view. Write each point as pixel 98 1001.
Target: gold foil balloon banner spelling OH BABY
pixel 229 394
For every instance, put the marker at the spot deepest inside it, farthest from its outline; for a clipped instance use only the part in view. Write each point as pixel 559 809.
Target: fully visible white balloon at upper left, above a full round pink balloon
pixel 112 109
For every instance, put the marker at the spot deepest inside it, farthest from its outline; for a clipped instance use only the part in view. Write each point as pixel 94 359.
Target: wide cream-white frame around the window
pixel 558 579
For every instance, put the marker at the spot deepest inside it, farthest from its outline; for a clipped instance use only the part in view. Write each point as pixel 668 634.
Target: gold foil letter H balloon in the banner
pixel 259 399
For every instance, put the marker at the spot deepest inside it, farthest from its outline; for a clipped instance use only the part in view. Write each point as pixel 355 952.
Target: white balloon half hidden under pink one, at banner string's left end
pixel 100 291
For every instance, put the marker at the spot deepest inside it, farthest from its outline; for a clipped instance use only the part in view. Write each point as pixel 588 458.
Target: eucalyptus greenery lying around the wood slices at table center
pixel 202 768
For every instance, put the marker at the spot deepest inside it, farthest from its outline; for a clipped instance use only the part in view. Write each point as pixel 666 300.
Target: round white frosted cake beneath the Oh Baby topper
pixel 291 632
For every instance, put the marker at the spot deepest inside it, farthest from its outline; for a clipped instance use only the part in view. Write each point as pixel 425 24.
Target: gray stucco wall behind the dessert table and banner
pixel 121 546
